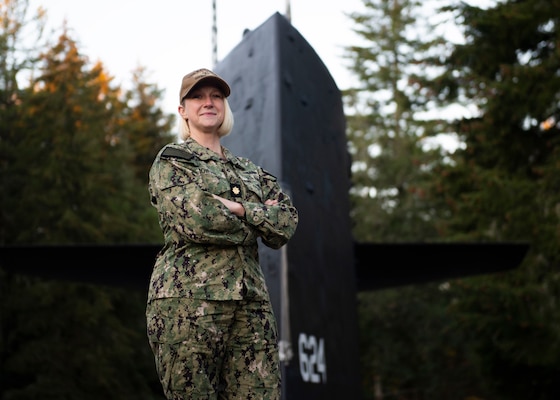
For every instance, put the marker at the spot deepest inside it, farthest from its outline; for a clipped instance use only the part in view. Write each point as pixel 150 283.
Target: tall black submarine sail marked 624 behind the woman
pixel 289 119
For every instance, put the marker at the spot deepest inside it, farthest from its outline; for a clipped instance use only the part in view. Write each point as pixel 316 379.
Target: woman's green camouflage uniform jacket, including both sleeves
pixel 210 253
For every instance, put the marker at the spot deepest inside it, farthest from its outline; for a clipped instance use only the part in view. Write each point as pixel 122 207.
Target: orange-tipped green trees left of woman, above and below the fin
pixel 75 151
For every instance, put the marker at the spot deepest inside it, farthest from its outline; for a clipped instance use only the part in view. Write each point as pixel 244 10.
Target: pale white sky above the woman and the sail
pixel 173 37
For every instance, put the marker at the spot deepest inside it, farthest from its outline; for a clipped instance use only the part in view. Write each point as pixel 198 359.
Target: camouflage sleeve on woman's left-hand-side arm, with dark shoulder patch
pixel 189 213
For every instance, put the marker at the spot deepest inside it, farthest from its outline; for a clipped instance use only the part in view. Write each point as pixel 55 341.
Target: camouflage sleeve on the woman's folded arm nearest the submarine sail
pixel 275 224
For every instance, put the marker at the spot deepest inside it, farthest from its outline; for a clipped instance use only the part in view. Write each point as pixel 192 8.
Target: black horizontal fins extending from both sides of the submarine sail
pixel 378 265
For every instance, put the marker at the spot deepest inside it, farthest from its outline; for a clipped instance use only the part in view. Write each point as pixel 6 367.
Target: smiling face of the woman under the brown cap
pixel 204 109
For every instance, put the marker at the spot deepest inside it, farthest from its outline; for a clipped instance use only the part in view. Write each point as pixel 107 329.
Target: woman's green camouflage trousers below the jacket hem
pixel 197 341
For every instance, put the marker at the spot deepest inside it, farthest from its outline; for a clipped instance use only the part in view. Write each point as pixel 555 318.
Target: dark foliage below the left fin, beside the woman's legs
pixel 67 341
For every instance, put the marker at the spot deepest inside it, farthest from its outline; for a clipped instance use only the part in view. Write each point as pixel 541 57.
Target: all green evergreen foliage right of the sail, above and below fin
pixel 491 336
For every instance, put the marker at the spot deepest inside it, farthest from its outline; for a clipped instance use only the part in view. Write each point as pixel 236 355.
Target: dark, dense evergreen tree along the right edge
pixel 503 186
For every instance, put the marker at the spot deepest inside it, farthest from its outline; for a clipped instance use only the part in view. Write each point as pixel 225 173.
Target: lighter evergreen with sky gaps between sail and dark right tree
pixel 387 139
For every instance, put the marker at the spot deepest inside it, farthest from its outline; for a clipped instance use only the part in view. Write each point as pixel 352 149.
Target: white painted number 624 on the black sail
pixel 312 361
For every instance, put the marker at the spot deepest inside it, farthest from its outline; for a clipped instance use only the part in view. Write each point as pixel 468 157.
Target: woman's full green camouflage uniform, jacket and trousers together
pixel 210 321
